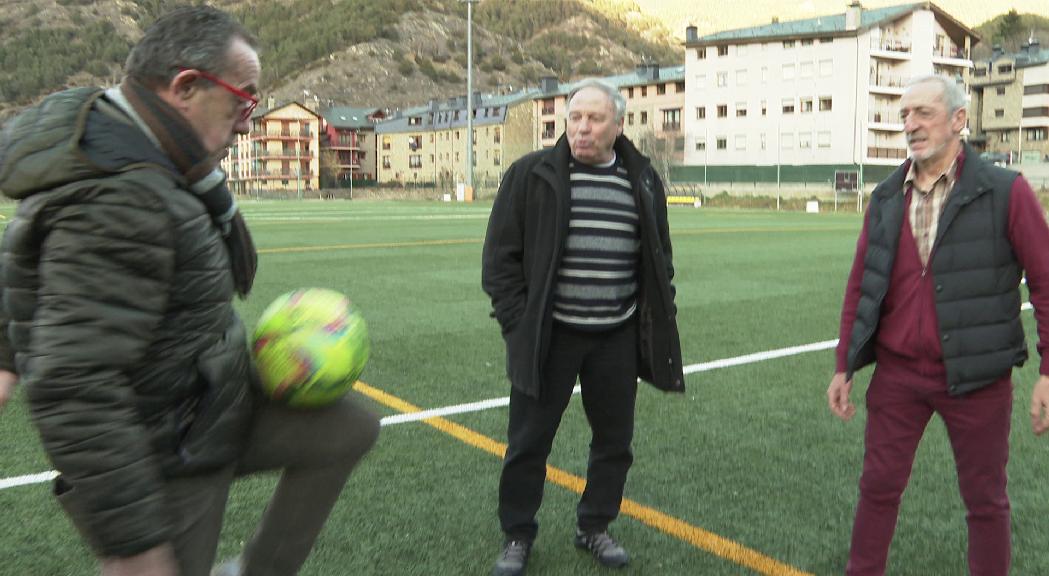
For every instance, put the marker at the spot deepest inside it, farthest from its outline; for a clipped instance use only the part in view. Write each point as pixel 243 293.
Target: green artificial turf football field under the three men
pixel 745 474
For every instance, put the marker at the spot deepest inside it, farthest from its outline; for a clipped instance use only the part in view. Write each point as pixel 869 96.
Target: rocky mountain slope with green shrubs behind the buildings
pixel 365 53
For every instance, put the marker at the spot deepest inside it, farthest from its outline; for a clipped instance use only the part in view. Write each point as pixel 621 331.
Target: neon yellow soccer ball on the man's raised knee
pixel 311 346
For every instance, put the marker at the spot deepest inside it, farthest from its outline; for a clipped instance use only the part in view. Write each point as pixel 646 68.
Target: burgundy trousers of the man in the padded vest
pixel 901 404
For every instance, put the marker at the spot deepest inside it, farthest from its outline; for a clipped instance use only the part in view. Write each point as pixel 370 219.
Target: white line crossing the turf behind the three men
pixel 500 402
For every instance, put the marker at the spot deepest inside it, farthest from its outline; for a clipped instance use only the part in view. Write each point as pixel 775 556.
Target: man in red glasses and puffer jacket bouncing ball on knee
pixel 119 272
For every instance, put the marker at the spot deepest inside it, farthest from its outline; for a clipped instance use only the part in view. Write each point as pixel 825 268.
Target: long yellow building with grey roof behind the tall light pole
pixel 426 145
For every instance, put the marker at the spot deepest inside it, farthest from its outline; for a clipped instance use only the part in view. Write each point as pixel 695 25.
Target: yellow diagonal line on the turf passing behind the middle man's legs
pixel 703 540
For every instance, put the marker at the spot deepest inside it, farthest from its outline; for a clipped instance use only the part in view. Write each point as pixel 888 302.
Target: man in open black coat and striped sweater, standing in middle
pixel 577 262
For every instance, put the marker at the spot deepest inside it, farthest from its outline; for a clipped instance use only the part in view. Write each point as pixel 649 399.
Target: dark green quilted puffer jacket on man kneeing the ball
pixel 118 290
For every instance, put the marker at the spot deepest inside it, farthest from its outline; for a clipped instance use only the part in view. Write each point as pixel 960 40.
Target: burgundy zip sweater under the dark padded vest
pixel 908 330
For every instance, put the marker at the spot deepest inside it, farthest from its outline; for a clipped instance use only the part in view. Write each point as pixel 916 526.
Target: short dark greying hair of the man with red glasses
pixel 190 37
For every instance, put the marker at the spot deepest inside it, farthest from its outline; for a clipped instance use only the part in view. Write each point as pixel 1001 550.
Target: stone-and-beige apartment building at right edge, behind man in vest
pixel 1011 104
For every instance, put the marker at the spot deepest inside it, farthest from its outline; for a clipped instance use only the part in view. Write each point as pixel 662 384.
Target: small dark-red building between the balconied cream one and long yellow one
pixel 349 144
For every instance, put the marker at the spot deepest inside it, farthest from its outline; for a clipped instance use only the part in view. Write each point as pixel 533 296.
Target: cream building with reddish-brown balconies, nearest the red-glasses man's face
pixel 281 154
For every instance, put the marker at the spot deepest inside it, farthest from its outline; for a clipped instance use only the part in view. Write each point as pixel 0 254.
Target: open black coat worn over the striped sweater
pixel 523 249
